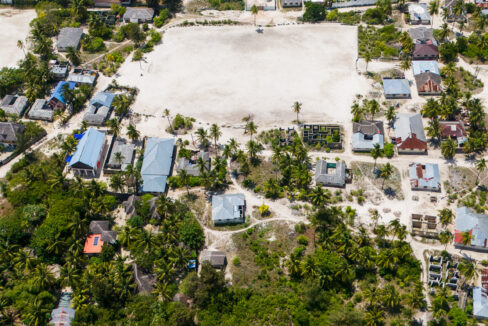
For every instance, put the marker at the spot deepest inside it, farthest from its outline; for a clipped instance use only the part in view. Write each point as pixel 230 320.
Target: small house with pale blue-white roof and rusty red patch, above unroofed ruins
pixel 424 177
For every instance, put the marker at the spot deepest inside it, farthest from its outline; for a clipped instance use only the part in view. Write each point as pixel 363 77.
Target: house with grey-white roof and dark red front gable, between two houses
pixel 409 134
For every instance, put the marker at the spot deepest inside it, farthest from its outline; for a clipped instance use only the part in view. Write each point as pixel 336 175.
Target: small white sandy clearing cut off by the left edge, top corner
pixel 15 26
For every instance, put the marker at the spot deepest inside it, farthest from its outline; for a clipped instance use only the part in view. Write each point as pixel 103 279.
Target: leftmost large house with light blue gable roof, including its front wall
pixel 88 155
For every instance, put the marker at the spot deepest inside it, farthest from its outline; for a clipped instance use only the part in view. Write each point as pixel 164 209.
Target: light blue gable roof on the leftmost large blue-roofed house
pixel 89 148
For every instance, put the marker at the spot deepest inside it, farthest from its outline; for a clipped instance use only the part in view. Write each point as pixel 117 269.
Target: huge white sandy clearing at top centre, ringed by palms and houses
pixel 221 74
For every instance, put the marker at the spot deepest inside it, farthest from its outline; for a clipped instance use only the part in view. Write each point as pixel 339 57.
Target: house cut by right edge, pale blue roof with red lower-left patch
pixel 477 226
